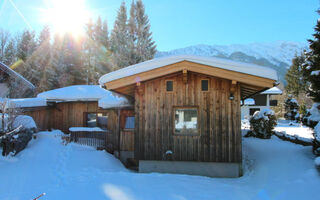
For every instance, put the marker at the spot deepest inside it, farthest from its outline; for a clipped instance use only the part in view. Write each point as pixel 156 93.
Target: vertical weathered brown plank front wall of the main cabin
pixel 219 138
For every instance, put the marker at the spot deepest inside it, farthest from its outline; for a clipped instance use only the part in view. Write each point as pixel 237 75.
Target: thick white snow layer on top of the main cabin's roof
pixel 246 68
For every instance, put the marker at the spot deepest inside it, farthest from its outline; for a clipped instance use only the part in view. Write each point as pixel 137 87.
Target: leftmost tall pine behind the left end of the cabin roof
pixel 119 40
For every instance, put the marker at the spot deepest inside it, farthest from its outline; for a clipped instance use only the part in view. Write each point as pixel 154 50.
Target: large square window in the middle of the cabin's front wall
pixel 186 121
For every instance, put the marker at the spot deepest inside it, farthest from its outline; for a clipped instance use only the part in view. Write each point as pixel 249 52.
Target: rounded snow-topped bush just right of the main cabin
pixel 262 124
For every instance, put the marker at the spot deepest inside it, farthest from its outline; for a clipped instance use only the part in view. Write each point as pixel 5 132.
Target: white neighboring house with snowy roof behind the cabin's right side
pixel 259 102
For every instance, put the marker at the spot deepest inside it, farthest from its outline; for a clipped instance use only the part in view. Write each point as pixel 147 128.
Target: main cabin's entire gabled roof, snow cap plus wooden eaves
pixel 252 78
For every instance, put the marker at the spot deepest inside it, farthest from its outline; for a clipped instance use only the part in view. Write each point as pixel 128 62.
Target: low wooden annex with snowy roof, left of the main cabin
pixel 80 106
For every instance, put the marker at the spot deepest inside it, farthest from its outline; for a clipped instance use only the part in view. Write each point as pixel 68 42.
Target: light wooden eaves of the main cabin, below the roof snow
pixel 249 84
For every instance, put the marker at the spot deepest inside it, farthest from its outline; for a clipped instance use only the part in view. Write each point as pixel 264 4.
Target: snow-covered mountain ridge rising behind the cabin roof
pixel 277 55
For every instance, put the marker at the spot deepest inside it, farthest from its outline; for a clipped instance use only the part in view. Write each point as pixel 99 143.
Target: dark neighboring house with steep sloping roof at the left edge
pixel 13 85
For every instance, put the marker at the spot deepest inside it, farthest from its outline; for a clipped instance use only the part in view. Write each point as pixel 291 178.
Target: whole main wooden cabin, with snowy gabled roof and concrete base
pixel 187 112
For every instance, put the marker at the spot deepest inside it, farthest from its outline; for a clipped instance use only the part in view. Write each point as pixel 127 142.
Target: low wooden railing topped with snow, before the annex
pixel 97 138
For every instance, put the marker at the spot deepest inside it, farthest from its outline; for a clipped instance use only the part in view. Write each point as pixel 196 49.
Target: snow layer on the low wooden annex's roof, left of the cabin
pixel 105 98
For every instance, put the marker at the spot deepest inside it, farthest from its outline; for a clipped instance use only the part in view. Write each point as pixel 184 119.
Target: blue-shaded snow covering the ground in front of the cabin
pixel 274 169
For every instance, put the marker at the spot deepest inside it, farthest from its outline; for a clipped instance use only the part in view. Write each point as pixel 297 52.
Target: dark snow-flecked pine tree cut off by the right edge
pixel 311 69
